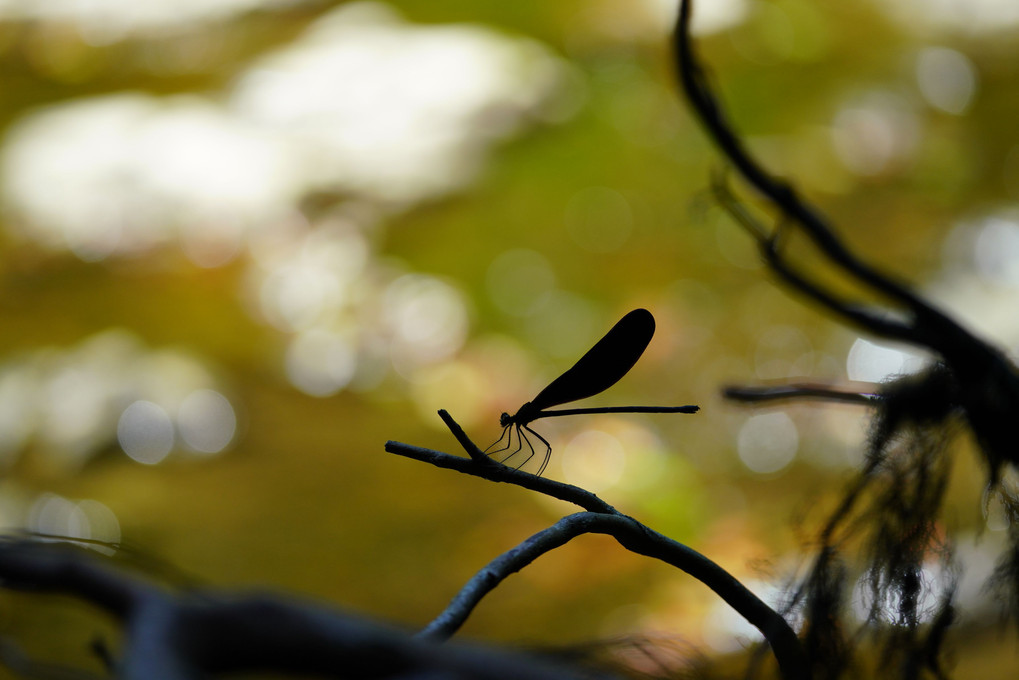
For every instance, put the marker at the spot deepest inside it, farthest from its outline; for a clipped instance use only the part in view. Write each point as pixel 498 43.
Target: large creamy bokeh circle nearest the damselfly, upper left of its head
pixel 427 319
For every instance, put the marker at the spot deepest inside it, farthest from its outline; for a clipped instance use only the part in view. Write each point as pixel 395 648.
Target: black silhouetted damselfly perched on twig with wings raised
pixel 600 370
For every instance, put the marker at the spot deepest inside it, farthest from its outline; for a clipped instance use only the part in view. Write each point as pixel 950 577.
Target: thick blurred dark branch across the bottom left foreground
pixel 185 636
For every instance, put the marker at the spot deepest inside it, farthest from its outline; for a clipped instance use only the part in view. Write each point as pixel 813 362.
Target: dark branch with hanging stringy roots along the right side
pixel 889 518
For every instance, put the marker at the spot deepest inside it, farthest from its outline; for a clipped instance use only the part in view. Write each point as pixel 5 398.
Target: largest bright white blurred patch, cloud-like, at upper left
pixel 362 104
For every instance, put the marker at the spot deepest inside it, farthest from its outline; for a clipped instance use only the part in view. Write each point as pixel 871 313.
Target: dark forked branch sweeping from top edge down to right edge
pixel 987 383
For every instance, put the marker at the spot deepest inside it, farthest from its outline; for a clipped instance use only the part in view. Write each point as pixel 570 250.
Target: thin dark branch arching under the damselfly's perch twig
pixel 638 539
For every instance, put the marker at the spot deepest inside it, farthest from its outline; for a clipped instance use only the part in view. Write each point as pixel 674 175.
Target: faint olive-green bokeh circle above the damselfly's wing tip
pixel 600 220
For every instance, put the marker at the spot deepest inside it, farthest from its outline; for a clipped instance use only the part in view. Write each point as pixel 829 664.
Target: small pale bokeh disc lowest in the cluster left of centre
pixel 320 362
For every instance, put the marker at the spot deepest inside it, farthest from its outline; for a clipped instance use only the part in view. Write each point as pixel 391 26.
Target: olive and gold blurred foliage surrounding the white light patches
pixel 305 500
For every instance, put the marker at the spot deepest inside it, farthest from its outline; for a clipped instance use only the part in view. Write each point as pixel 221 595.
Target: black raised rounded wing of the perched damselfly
pixel 605 364
